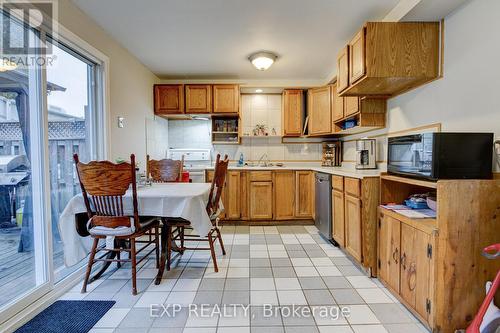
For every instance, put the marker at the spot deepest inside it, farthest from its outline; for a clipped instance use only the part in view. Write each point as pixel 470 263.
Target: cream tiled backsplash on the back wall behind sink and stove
pixel 256 109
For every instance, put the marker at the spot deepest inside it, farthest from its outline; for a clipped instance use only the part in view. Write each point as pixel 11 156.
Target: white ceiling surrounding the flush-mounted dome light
pixel 212 39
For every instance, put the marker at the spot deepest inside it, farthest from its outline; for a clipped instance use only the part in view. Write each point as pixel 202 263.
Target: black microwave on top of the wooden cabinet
pixel 441 155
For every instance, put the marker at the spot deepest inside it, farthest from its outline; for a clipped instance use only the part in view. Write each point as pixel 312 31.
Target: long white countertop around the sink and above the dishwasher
pixel 339 171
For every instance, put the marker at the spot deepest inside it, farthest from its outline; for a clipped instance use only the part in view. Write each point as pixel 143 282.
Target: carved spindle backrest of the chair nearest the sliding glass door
pixel 105 183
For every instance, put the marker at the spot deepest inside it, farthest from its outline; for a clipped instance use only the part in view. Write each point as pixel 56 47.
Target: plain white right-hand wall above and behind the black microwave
pixel 466 99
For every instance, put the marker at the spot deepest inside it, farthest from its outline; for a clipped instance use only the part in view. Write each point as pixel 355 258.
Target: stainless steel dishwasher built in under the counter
pixel 323 188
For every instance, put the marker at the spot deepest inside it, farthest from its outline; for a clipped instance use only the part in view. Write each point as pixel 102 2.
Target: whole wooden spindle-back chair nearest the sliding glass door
pixel 103 187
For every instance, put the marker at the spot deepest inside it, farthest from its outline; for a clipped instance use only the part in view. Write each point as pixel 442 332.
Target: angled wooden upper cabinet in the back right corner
pixel 319 111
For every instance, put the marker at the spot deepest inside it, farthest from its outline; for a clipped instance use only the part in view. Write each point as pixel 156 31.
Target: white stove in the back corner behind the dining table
pixel 196 161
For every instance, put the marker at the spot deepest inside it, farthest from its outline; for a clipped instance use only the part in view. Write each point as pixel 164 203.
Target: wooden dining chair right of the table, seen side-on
pixel 175 227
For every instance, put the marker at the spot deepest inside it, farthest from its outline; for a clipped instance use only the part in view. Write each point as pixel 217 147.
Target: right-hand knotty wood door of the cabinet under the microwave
pixel 415 268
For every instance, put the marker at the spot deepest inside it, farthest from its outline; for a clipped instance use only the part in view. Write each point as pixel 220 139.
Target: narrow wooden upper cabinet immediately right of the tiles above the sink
pixel 292 112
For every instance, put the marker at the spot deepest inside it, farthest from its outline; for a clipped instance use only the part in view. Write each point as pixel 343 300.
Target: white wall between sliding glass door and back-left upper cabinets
pixel 131 84
